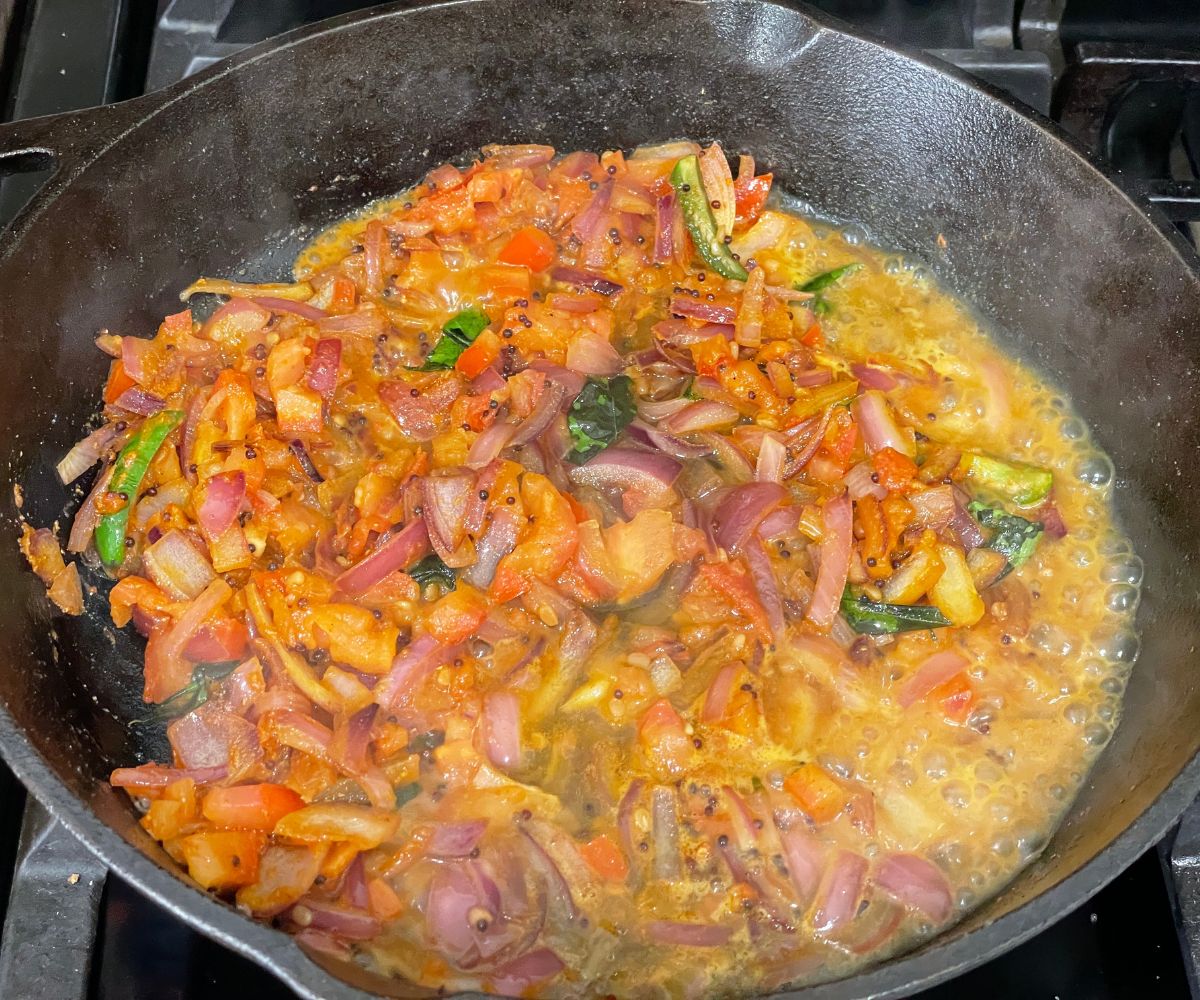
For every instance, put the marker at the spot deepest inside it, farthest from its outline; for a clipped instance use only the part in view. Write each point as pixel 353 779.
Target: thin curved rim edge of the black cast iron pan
pixel 934 962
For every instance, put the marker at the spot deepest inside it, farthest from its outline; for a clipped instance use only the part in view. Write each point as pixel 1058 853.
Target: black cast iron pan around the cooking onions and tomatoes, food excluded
pixel 242 164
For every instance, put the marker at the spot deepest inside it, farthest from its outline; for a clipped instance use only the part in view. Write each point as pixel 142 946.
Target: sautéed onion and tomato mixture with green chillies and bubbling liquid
pixel 589 579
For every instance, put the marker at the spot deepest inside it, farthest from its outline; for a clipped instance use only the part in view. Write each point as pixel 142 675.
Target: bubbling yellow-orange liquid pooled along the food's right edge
pixel 1053 700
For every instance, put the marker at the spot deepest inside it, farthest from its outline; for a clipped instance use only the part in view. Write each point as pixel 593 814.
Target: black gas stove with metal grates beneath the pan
pixel 1123 76
